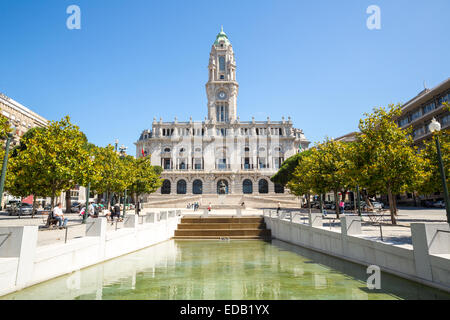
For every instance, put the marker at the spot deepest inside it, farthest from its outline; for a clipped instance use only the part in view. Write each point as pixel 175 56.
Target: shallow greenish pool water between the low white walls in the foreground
pixel 213 270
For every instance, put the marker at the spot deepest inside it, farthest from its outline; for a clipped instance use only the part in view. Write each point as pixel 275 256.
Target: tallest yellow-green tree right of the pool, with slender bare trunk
pixel 384 156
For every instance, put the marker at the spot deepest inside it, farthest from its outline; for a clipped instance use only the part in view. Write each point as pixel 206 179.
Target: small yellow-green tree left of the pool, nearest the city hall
pixel 146 178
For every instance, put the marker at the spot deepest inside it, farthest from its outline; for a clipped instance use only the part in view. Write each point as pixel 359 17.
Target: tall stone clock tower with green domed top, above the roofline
pixel 222 88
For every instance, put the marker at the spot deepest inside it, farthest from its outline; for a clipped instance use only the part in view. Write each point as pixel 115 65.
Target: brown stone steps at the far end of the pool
pixel 248 228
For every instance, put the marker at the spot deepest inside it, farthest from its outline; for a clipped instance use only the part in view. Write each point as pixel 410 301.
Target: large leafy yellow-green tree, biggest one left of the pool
pixel 55 159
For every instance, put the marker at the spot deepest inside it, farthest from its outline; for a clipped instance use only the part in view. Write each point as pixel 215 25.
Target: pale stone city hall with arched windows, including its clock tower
pixel 221 155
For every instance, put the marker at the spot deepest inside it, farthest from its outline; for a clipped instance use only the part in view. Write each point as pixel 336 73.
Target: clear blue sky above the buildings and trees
pixel 315 61
